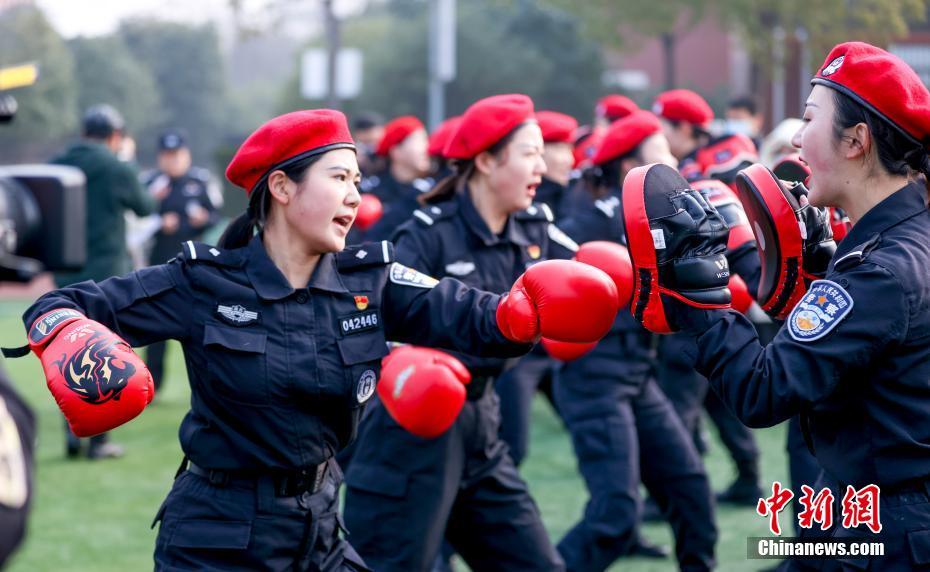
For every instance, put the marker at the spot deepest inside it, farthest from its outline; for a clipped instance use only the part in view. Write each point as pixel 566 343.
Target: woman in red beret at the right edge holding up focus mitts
pixel 853 358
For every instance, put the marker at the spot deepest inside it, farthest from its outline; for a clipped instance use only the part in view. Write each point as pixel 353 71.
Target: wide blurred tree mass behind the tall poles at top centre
pixel 501 48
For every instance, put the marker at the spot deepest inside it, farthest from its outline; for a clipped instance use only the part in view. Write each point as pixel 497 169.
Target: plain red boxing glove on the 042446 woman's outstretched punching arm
pixel 564 300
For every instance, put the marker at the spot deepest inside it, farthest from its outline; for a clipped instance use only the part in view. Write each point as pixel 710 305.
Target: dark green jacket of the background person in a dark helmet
pixel 112 188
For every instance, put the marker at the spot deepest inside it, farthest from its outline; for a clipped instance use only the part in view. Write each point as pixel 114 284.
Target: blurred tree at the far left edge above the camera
pixel 48 109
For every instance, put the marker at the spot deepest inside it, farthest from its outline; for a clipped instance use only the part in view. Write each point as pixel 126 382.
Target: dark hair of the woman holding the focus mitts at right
pixel 898 153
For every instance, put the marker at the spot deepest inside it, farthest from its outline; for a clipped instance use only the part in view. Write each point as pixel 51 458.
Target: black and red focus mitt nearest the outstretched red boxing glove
pixel 677 243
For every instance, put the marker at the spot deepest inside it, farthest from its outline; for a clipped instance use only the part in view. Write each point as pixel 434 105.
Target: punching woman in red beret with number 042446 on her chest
pixel 283 334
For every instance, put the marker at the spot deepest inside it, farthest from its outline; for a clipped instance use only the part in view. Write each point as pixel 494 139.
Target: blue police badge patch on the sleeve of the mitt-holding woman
pixel 824 306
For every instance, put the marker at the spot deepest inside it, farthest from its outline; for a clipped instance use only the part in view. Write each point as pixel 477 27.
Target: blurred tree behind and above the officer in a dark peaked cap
pixel 187 68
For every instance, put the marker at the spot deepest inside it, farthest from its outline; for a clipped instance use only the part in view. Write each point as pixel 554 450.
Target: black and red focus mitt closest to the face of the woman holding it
pixel 794 238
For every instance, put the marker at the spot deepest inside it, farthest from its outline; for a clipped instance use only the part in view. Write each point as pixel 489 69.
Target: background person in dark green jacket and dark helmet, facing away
pixel 112 188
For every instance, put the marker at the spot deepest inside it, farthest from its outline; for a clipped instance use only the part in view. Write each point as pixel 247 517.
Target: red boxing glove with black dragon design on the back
pixel 97 380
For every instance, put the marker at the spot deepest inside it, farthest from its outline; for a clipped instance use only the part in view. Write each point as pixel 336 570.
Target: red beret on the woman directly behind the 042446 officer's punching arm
pixel 486 122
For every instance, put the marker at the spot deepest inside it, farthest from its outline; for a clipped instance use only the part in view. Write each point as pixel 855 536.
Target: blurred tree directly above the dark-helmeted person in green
pixel 107 73
